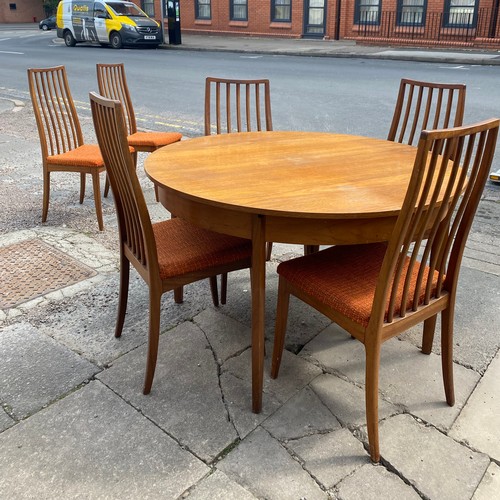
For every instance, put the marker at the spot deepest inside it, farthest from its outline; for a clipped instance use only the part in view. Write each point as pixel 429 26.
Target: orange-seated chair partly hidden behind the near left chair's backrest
pixel 112 83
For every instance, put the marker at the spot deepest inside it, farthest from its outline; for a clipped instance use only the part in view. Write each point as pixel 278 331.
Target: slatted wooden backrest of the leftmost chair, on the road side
pixel 55 112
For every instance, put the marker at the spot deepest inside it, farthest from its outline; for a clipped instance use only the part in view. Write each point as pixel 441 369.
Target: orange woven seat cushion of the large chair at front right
pixel 344 278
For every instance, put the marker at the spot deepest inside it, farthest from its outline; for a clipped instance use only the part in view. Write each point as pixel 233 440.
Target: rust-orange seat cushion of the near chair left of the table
pixel 184 248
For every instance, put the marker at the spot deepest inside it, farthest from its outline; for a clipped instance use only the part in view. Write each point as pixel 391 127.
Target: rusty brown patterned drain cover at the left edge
pixel 32 268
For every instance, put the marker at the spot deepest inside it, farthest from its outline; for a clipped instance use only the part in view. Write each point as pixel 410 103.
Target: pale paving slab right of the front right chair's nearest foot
pixel 417 452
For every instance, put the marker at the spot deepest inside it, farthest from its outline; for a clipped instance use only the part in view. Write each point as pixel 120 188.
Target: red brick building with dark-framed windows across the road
pixel 403 22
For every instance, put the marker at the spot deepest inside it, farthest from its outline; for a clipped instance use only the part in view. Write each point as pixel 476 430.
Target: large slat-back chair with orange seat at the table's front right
pixel 377 291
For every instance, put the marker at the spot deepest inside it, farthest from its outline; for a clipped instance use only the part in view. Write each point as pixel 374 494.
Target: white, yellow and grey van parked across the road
pixel 108 22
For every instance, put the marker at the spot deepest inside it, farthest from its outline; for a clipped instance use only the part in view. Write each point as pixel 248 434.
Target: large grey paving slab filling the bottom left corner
pixel 92 444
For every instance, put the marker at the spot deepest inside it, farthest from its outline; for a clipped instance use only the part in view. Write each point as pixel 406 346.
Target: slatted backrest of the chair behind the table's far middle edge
pixel 237 105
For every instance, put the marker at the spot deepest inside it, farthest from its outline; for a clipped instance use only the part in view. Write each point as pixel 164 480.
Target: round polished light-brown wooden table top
pixel 298 174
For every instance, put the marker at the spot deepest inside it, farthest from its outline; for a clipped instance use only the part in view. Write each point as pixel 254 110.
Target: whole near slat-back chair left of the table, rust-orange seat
pixel 167 254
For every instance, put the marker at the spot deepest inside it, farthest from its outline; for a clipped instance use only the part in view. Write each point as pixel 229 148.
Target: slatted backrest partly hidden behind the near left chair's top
pixel 112 84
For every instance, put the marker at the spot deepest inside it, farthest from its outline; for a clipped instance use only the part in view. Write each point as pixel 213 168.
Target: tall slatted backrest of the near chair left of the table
pixel 136 232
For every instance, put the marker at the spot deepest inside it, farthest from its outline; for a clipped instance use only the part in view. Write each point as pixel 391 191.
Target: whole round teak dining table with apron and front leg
pixel 291 187
